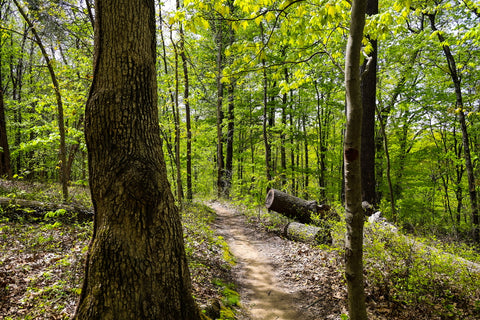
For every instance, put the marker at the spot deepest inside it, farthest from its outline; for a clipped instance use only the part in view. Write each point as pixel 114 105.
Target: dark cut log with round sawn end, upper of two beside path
pixel 291 206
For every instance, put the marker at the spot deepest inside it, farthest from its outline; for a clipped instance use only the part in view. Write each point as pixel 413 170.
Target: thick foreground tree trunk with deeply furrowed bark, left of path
pixel 136 265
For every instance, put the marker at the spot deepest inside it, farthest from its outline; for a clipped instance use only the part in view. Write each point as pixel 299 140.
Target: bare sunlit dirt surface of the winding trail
pixel 263 295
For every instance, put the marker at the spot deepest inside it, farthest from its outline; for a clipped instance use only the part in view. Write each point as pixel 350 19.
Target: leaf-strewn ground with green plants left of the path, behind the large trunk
pixel 41 260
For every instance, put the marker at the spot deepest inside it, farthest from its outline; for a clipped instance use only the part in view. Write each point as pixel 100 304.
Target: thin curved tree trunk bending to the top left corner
pixel 56 87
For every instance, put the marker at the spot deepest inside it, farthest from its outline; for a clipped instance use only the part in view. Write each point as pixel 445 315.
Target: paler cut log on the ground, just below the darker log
pixel 307 233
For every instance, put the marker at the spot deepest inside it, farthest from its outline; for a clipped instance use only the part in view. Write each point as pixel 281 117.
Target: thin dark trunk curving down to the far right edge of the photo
pixel 463 126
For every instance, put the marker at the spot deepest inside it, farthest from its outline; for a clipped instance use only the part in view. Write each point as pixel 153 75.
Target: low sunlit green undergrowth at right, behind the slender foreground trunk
pixel 409 277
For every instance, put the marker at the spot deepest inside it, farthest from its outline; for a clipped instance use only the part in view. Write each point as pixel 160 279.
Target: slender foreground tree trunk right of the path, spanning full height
pixel 352 151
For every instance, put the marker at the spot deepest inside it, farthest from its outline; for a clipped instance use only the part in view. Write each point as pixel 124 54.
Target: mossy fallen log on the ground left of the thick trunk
pixel 31 210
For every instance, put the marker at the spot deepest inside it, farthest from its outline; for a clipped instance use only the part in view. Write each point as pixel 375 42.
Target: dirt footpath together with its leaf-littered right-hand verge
pixel 278 279
